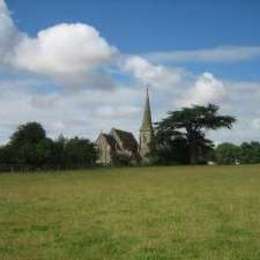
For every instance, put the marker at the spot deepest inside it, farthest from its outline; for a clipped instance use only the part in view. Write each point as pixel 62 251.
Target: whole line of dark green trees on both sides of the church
pixel 180 138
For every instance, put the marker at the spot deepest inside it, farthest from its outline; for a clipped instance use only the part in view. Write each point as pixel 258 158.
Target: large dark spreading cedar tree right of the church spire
pixel 191 125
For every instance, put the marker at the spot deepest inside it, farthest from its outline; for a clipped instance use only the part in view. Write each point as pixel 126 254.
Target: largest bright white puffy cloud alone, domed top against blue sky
pixel 63 49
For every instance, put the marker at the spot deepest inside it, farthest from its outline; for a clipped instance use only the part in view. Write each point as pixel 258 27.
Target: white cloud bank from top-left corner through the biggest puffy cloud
pixel 69 53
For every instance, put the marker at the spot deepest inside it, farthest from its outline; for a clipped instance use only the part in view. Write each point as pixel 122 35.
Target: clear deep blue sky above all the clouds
pixel 144 26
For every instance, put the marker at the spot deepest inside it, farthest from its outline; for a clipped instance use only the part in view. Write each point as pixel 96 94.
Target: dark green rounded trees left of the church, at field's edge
pixel 30 149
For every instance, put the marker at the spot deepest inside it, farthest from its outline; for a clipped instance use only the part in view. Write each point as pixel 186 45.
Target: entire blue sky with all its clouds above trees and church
pixel 81 67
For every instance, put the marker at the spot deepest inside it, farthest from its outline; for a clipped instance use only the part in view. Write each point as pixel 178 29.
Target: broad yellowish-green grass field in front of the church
pixel 132 213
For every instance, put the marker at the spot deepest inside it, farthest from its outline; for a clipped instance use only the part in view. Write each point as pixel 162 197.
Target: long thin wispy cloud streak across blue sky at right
pixel 219 54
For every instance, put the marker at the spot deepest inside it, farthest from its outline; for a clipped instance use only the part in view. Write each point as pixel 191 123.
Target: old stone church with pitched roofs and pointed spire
pixel 121 147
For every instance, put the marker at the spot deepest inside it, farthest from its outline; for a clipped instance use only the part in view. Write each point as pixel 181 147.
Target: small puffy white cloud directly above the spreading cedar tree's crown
pixel 207 89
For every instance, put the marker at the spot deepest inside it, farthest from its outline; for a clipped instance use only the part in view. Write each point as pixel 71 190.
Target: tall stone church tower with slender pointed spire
pixel 146 132
